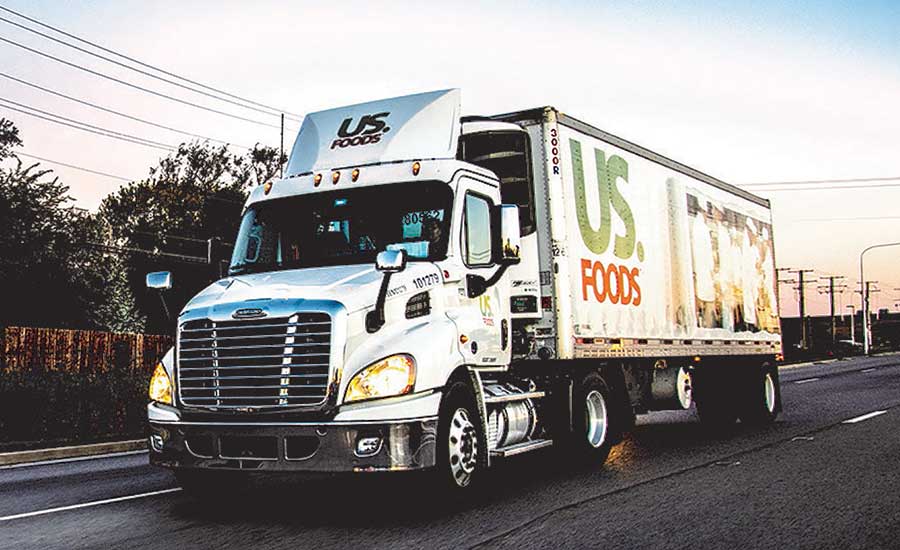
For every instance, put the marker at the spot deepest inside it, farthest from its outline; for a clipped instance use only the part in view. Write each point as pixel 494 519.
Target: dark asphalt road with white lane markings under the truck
pixel 812 480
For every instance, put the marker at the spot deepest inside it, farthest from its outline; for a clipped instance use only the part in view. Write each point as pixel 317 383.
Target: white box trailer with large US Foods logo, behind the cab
pixel 641 256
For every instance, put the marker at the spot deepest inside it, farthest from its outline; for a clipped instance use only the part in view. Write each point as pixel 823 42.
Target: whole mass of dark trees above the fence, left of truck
pixel 61 266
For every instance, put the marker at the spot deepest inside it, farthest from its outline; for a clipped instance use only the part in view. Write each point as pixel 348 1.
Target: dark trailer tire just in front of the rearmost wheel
pixel 715 396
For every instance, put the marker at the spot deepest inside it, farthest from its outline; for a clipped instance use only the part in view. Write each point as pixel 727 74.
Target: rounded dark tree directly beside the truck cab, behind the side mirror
pixel 194 195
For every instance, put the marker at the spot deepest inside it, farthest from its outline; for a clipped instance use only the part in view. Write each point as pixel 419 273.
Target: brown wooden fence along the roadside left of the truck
pixel 62 386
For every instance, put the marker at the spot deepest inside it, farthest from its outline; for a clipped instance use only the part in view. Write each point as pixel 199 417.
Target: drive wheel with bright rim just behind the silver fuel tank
pixel 594 425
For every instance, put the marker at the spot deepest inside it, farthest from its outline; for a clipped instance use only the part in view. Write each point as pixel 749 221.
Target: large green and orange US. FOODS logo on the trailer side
pixel 613 281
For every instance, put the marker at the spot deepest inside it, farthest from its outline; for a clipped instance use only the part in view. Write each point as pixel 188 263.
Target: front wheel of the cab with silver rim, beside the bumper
pixel 461 446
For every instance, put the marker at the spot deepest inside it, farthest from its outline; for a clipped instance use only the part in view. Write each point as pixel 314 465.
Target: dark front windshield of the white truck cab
pixel 344 227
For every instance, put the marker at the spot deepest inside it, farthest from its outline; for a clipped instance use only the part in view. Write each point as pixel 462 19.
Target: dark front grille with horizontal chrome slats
pixel 255 363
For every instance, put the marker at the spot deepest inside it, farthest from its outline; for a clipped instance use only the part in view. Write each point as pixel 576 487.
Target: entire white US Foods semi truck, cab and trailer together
pixel 424 290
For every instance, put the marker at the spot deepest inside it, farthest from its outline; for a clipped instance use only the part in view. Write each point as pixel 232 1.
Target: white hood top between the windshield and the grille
pixel 354 286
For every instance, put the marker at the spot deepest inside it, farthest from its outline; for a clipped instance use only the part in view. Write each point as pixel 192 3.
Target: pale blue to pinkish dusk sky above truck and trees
pixel 748 92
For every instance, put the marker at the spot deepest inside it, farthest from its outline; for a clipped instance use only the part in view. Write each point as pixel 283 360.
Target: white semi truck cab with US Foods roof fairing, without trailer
pixel 361 285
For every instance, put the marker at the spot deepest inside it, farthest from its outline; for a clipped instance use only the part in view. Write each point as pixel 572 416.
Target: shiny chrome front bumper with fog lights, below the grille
pixel 328 447
